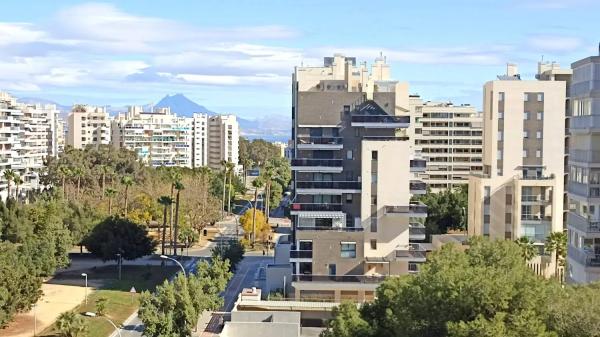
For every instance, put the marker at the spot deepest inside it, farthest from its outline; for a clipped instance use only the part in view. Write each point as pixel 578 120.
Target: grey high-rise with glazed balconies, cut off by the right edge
pixel 583 258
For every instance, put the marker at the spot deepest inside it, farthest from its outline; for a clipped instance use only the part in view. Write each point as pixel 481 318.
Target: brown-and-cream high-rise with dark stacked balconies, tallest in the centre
pixel 352 218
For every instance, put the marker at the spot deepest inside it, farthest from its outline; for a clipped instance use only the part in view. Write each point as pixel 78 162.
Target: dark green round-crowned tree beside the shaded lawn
pixel 117 235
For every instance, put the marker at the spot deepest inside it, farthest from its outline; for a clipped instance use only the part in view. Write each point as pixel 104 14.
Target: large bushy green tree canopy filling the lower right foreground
pixel 485 291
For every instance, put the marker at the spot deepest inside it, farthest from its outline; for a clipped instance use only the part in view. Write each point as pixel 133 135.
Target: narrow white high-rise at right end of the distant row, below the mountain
pixel 223 140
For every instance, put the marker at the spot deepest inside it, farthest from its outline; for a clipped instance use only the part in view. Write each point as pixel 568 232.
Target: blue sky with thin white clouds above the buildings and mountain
pixel 238 56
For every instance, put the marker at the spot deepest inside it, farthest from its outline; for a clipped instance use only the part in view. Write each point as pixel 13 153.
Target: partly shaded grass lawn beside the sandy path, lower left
pixel 121 303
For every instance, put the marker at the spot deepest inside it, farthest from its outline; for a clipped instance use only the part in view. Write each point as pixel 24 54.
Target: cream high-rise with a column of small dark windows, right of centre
pixel 521 189
